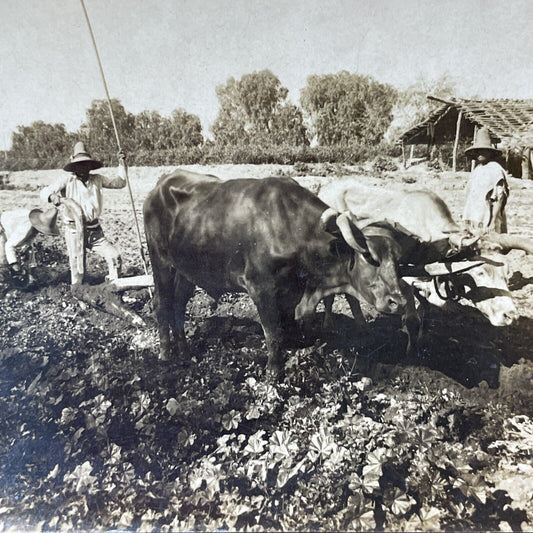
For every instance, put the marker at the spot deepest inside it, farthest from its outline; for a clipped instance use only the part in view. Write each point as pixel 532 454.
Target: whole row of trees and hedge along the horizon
pixel 341 117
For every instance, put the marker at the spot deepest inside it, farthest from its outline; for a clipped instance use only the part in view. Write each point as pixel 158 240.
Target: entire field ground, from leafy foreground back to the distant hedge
pixel 97 433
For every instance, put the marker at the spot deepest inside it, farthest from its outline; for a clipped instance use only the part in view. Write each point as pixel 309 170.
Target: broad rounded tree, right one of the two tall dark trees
pixel 344 108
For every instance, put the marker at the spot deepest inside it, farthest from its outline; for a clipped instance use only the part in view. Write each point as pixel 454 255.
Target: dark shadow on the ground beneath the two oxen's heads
pixel 465 348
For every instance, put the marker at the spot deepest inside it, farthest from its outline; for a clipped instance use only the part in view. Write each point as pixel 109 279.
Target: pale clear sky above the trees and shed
pixel 163 55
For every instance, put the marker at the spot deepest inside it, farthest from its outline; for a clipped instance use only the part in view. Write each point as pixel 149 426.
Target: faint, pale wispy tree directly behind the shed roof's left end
pixel 412 105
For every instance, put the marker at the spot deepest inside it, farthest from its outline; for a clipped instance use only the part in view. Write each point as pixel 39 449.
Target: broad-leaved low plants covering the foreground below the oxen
pixel 98 434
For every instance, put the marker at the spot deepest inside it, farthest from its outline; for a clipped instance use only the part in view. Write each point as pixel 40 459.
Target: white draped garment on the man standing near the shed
pixel 486 189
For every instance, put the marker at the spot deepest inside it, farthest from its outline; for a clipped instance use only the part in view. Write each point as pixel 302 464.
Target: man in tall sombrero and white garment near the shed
pixel 487 190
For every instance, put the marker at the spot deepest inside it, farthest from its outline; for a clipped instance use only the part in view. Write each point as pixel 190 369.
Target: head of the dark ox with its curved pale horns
pixel 373 268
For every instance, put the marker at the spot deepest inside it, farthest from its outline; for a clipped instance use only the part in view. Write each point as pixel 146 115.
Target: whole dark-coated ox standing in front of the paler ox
pixel 270 238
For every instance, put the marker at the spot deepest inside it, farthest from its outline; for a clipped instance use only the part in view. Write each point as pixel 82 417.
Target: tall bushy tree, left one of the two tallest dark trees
pixel 255 109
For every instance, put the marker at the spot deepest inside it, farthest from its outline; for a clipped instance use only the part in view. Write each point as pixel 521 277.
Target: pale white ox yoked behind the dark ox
pixel 462 268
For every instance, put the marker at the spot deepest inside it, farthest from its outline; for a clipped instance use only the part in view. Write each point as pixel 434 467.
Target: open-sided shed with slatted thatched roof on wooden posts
pixel 457 118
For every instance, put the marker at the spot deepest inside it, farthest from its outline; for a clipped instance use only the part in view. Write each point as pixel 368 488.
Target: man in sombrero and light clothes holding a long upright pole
pixel 85 189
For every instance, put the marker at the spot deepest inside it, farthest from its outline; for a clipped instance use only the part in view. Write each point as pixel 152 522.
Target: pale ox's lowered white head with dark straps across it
pixel 482 284
